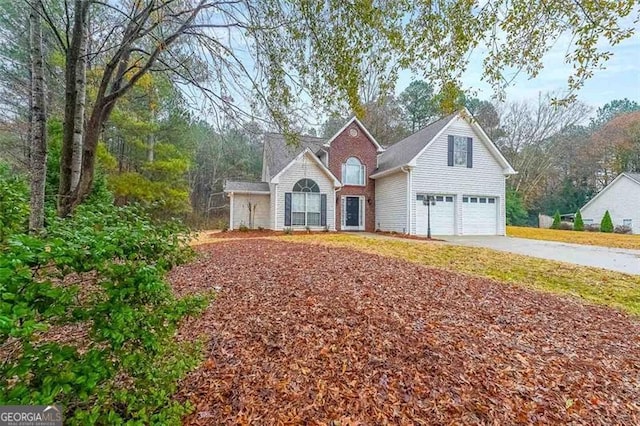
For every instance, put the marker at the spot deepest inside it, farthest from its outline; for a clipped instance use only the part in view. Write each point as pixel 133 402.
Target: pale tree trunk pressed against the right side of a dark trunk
pixel 78 131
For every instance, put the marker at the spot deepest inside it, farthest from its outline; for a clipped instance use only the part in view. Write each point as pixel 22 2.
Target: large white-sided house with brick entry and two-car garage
pixel 350 182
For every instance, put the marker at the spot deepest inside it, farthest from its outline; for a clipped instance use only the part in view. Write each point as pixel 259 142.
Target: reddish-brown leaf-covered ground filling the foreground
pixel 317 335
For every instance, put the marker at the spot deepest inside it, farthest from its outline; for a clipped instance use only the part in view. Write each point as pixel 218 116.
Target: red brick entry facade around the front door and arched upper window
pixel 347 145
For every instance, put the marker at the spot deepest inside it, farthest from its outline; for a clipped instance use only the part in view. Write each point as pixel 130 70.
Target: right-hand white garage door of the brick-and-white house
pixel 479 215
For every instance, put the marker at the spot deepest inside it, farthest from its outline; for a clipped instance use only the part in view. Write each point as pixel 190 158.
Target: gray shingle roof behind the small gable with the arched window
pixel 277 153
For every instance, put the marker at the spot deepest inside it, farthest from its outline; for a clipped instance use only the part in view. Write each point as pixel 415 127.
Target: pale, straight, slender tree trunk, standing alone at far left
pixel 38 155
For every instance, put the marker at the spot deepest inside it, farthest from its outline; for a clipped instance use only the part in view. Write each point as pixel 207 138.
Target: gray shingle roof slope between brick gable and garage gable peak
pixel 403 152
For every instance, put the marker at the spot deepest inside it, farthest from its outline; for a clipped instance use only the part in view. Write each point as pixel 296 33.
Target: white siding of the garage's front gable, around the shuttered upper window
pixel 433 176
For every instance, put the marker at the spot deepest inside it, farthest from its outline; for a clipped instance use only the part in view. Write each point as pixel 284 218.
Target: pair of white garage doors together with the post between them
pixel 478 215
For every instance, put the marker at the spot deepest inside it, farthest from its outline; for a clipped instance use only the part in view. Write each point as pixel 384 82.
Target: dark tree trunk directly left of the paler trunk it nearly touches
pixel 73 57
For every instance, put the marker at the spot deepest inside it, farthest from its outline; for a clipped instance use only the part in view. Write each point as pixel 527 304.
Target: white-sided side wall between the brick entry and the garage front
pixel 391 203
